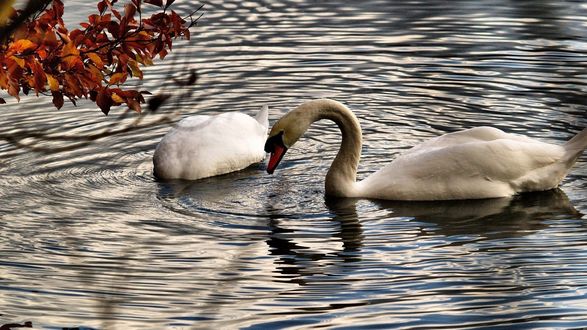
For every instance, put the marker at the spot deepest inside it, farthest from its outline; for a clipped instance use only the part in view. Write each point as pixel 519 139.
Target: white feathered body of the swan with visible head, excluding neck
pixel 481 162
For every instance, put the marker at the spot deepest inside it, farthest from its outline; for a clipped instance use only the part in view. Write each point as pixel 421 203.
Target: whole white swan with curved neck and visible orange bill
pixel 481 162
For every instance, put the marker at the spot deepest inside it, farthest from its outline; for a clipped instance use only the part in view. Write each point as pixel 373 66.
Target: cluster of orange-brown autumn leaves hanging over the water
pixel 93 61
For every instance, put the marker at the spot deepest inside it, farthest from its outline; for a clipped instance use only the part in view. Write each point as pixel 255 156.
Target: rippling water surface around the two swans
pixel 89 238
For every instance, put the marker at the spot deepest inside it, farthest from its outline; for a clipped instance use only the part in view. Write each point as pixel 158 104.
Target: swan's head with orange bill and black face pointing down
pixel 284 134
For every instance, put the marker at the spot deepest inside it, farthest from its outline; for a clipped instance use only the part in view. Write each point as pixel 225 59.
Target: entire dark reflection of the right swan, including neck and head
pixel 489 218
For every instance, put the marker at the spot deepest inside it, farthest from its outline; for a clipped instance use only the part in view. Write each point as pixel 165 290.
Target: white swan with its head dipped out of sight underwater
pixel 202 146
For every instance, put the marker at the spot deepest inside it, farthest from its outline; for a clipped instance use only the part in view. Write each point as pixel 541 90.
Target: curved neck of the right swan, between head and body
pixel 341 177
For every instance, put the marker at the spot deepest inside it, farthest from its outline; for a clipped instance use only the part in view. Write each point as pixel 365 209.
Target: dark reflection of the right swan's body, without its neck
pixel 490 218
